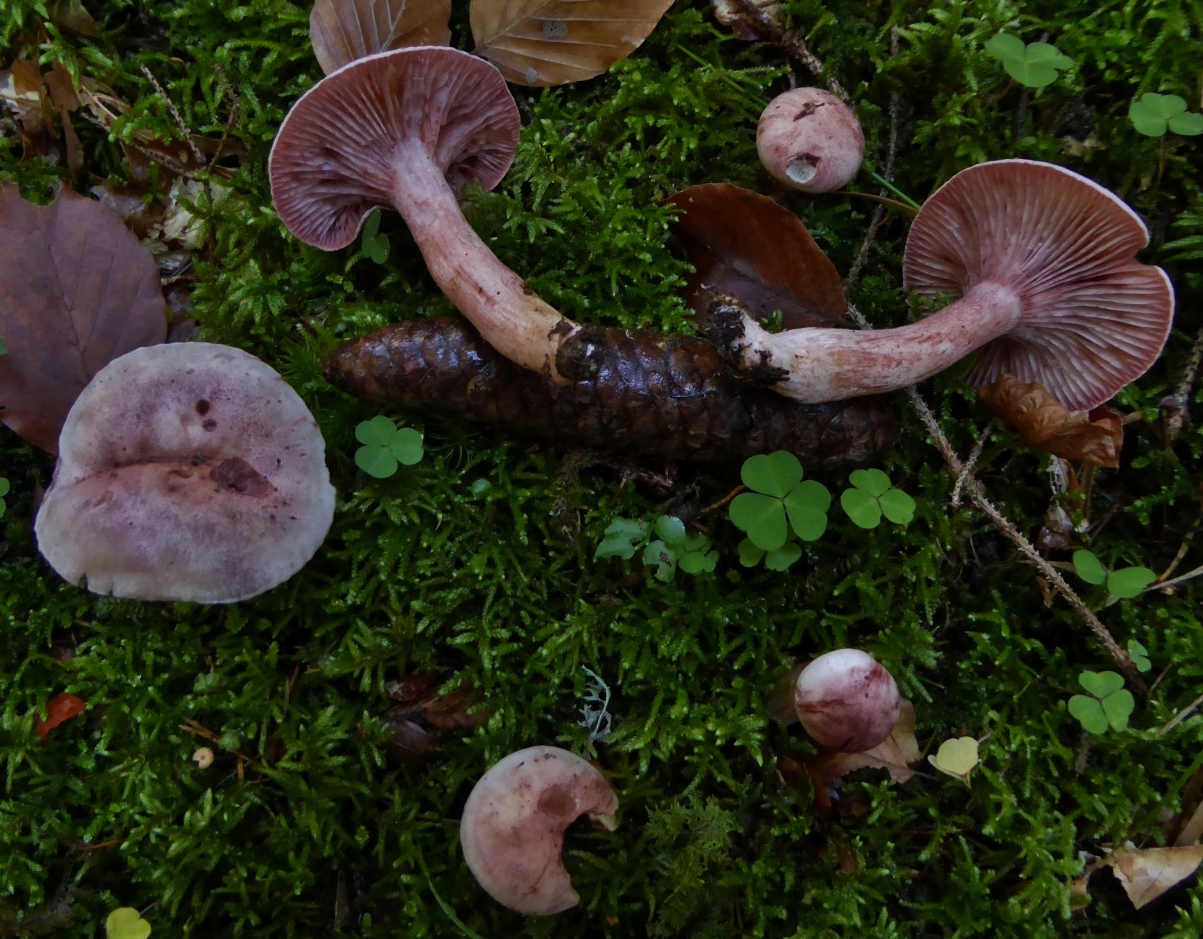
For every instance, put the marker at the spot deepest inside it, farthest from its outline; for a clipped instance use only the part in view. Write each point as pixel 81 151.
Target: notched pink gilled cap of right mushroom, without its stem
pixel 1093 318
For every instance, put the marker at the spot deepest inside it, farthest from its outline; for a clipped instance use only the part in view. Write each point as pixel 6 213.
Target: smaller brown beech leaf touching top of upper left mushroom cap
pixel 346 31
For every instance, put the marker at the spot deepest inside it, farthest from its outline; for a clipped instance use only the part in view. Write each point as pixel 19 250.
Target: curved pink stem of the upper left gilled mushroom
pixel 509 316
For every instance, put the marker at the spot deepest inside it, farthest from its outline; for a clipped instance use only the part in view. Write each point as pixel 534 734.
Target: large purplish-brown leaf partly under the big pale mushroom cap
pixel 76 292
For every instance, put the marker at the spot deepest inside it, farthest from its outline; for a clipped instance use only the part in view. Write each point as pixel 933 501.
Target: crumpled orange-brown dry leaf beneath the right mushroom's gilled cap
pixel 1045 424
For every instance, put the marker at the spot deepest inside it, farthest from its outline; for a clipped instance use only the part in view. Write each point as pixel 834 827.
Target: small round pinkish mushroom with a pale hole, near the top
pixel 810 140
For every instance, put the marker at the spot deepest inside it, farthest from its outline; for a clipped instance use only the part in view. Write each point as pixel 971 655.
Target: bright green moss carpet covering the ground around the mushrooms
pixel 301 824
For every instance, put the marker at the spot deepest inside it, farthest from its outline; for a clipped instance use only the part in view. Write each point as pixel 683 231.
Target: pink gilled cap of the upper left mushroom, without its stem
pixel 339 152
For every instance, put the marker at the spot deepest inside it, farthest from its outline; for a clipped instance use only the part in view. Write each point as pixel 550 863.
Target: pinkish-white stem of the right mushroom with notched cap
pixel 821 365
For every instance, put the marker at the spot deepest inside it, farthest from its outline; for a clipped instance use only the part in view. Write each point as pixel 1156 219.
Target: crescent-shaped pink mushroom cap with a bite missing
pixel 514 822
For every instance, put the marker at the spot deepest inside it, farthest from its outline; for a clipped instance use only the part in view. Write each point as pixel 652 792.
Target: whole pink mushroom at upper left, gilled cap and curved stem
pixel 407 129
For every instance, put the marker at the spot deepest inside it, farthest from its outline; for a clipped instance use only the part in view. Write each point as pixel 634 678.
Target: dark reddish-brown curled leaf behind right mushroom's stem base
pixel 745 246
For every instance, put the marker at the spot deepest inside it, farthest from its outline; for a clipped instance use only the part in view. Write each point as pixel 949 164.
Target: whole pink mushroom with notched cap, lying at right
pixel 1045 264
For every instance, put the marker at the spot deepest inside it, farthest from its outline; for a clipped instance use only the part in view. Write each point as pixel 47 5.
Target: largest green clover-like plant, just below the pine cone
pixel 781 502
